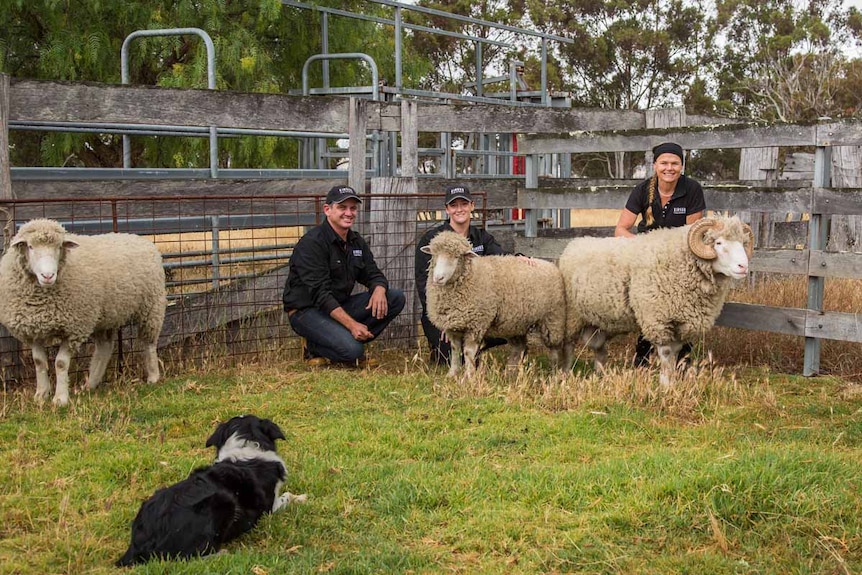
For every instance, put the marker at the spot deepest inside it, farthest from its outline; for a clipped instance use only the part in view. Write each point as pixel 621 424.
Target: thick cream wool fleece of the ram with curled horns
pixel 651 282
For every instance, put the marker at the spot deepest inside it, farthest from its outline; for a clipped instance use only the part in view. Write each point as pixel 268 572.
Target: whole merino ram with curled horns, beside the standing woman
pixel 670 284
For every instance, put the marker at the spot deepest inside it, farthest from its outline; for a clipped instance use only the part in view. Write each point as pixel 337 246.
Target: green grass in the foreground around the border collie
pixel 408 472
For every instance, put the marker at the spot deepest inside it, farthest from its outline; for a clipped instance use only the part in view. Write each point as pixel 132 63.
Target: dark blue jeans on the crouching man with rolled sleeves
pixel 327 338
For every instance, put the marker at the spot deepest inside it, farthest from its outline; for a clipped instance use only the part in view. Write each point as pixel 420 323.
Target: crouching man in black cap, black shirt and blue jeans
pixel 326 264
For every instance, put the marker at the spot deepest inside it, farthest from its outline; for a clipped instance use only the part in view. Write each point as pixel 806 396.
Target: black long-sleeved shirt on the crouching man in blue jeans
pixel 324 269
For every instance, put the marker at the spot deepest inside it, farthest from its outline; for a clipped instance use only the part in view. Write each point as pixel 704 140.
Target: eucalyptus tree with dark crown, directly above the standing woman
pixel 626 55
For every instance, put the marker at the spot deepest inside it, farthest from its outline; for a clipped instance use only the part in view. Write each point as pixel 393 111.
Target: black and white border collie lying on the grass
pixel 216 503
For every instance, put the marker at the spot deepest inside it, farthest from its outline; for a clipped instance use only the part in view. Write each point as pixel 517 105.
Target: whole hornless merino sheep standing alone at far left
pixel 57 287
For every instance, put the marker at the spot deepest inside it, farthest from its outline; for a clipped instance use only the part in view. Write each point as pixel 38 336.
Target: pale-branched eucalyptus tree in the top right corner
pixel 786 60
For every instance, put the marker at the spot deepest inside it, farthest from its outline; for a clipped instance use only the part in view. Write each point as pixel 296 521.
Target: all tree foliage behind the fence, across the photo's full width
pixel 766 59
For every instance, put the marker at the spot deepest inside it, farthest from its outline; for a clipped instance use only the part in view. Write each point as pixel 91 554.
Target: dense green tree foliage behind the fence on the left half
pixel 260 46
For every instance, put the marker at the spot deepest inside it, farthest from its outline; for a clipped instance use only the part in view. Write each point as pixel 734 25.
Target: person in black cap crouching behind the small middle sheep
pixel 459 207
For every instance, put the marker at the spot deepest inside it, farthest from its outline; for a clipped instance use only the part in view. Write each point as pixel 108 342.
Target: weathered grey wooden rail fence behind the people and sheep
pixel 545 132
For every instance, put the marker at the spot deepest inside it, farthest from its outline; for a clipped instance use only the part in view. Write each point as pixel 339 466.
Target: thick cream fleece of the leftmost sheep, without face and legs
pixel 106 282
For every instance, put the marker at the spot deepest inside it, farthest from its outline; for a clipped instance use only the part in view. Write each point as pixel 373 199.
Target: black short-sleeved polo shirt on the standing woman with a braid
pixel 687 199
